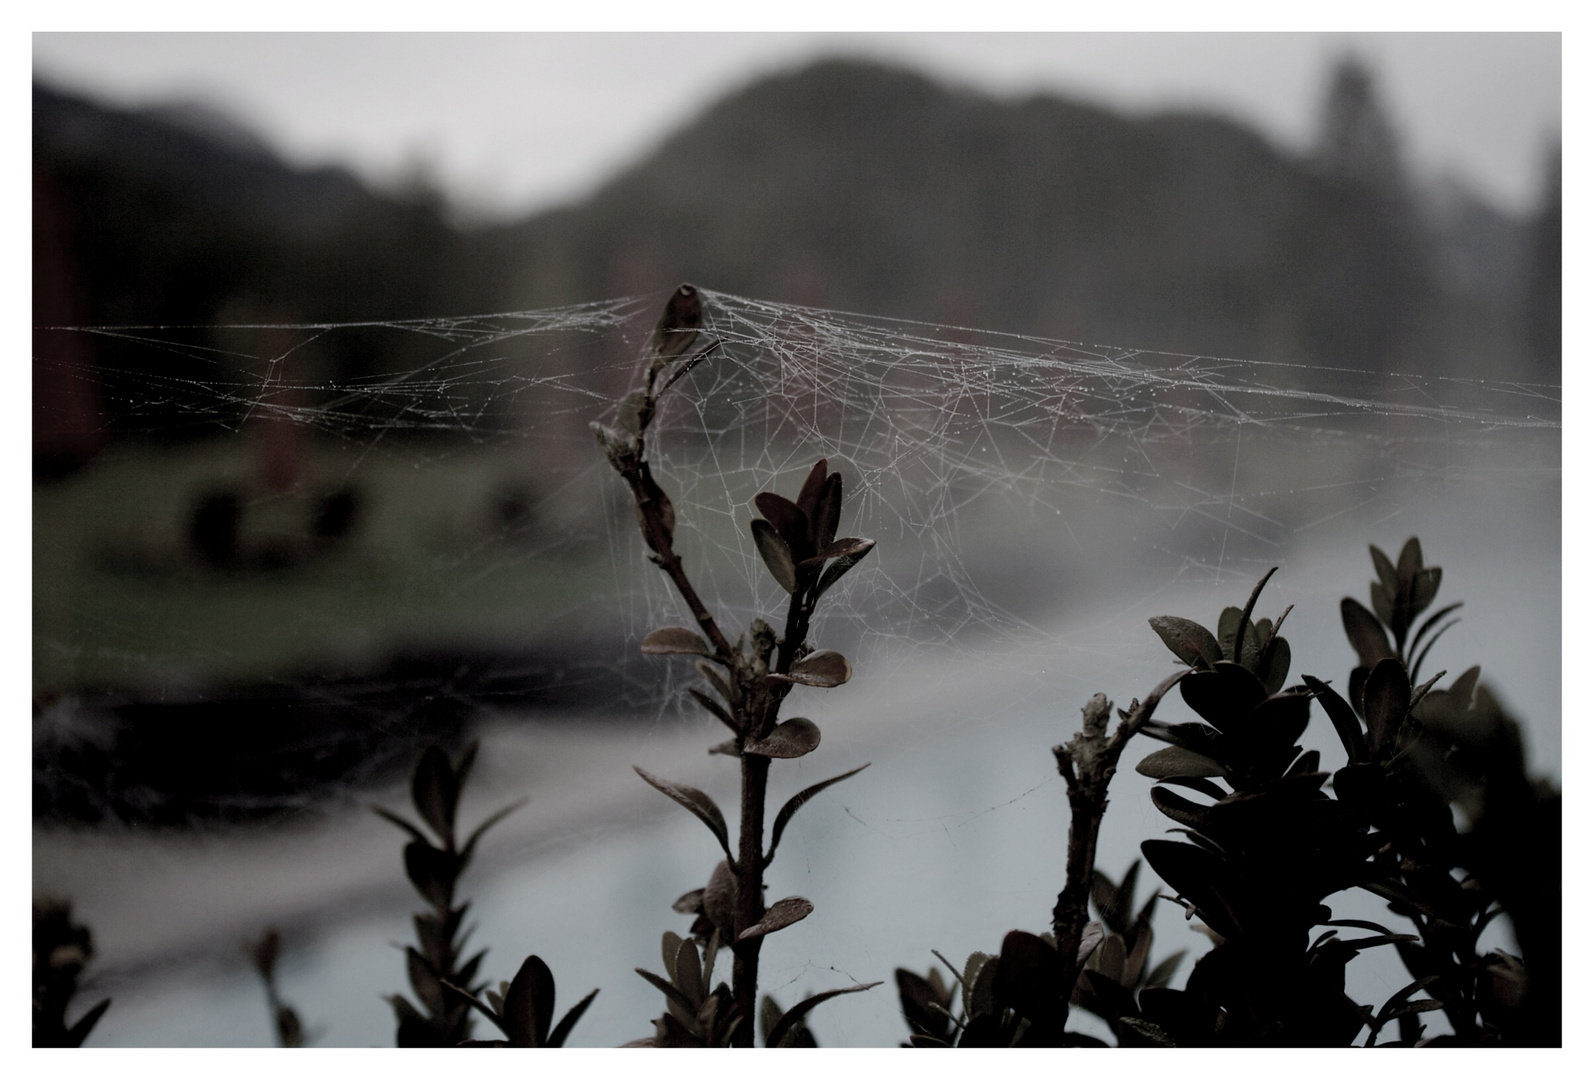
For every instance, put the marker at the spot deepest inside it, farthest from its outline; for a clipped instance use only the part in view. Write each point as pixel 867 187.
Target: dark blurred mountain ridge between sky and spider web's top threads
pixel 846 184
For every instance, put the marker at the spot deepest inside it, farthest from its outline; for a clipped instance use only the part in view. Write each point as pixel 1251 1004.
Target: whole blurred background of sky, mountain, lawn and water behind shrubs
pixel 321 323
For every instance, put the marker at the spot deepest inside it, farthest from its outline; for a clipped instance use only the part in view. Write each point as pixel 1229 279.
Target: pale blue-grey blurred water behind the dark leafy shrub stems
pixel 954 837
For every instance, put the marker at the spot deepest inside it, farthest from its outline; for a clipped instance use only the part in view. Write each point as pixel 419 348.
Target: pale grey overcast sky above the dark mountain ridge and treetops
pixel 514 123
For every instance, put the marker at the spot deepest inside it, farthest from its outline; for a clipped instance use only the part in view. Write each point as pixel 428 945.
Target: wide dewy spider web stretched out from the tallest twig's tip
pixel 1007 479
